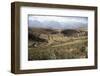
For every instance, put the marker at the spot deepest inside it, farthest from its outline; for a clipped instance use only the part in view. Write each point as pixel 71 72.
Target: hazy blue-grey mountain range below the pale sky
pixel 50 24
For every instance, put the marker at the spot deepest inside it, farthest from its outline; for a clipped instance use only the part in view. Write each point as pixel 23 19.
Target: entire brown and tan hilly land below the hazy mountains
pixel 46 44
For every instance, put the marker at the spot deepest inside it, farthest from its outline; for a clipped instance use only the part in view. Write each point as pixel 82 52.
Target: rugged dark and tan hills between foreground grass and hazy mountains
pixel 46 36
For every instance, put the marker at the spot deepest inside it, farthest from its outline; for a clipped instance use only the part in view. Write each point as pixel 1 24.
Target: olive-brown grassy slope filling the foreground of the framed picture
pixel 74 48
